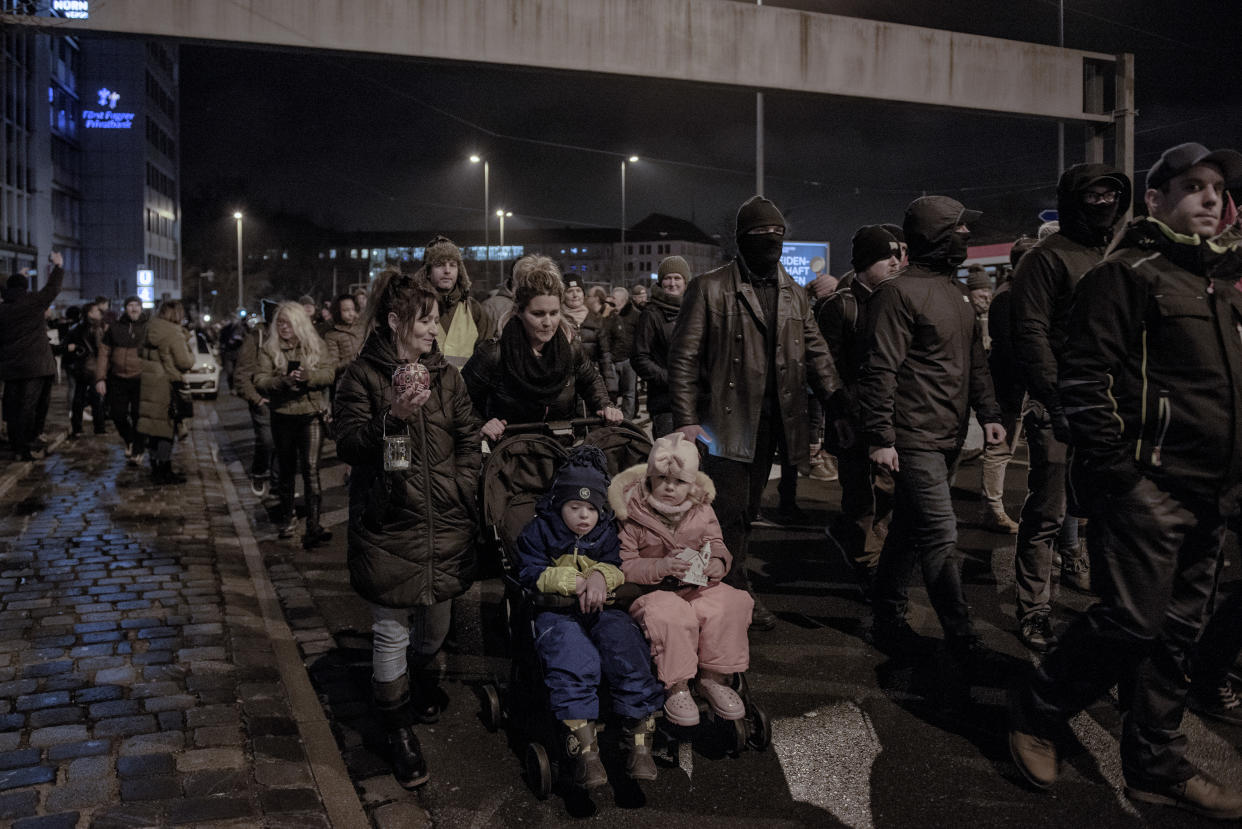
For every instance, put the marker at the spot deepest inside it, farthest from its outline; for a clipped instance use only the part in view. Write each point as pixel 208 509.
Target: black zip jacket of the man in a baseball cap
pixel 1152 370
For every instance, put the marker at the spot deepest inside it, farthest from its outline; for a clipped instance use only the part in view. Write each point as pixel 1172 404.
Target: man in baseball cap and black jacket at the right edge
pixel 1151 383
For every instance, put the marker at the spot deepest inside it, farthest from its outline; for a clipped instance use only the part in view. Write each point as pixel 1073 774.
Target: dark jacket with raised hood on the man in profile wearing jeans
pixel 925 366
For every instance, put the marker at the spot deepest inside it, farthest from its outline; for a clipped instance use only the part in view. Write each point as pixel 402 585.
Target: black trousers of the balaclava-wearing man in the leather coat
pixel 740 488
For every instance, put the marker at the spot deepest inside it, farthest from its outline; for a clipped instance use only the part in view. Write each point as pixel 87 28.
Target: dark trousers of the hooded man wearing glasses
pixel 1044 514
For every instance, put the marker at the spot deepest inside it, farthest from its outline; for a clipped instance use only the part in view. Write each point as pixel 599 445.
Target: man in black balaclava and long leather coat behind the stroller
pixel 742 355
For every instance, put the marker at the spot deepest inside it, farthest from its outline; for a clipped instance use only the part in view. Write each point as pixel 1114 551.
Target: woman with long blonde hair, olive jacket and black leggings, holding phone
pixel 294 372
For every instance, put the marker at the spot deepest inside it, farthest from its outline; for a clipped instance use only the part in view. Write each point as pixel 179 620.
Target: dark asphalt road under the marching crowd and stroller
pixel 859 740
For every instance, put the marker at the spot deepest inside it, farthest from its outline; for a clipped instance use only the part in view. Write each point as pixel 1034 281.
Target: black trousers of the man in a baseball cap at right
pixel 1161 554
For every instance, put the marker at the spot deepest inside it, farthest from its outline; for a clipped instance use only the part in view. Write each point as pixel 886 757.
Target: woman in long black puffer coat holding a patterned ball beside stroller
pixel 412 531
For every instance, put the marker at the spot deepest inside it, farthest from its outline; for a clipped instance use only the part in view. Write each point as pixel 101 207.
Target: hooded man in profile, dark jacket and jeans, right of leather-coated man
pixel 923 373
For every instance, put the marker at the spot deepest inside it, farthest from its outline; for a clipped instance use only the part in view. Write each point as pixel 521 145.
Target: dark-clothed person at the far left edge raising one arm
pixel 27 362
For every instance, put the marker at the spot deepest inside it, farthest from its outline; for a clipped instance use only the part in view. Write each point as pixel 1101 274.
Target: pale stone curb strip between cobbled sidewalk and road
pixel 332 779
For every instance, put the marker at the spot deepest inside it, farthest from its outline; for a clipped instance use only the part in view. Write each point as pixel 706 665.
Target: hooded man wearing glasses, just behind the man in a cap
pixel 1092 201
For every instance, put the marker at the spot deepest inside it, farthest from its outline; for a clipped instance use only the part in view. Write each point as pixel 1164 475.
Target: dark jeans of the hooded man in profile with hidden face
pixel 923 531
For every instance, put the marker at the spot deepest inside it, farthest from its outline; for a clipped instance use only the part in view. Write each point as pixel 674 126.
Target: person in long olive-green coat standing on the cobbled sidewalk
pixel 166 354
